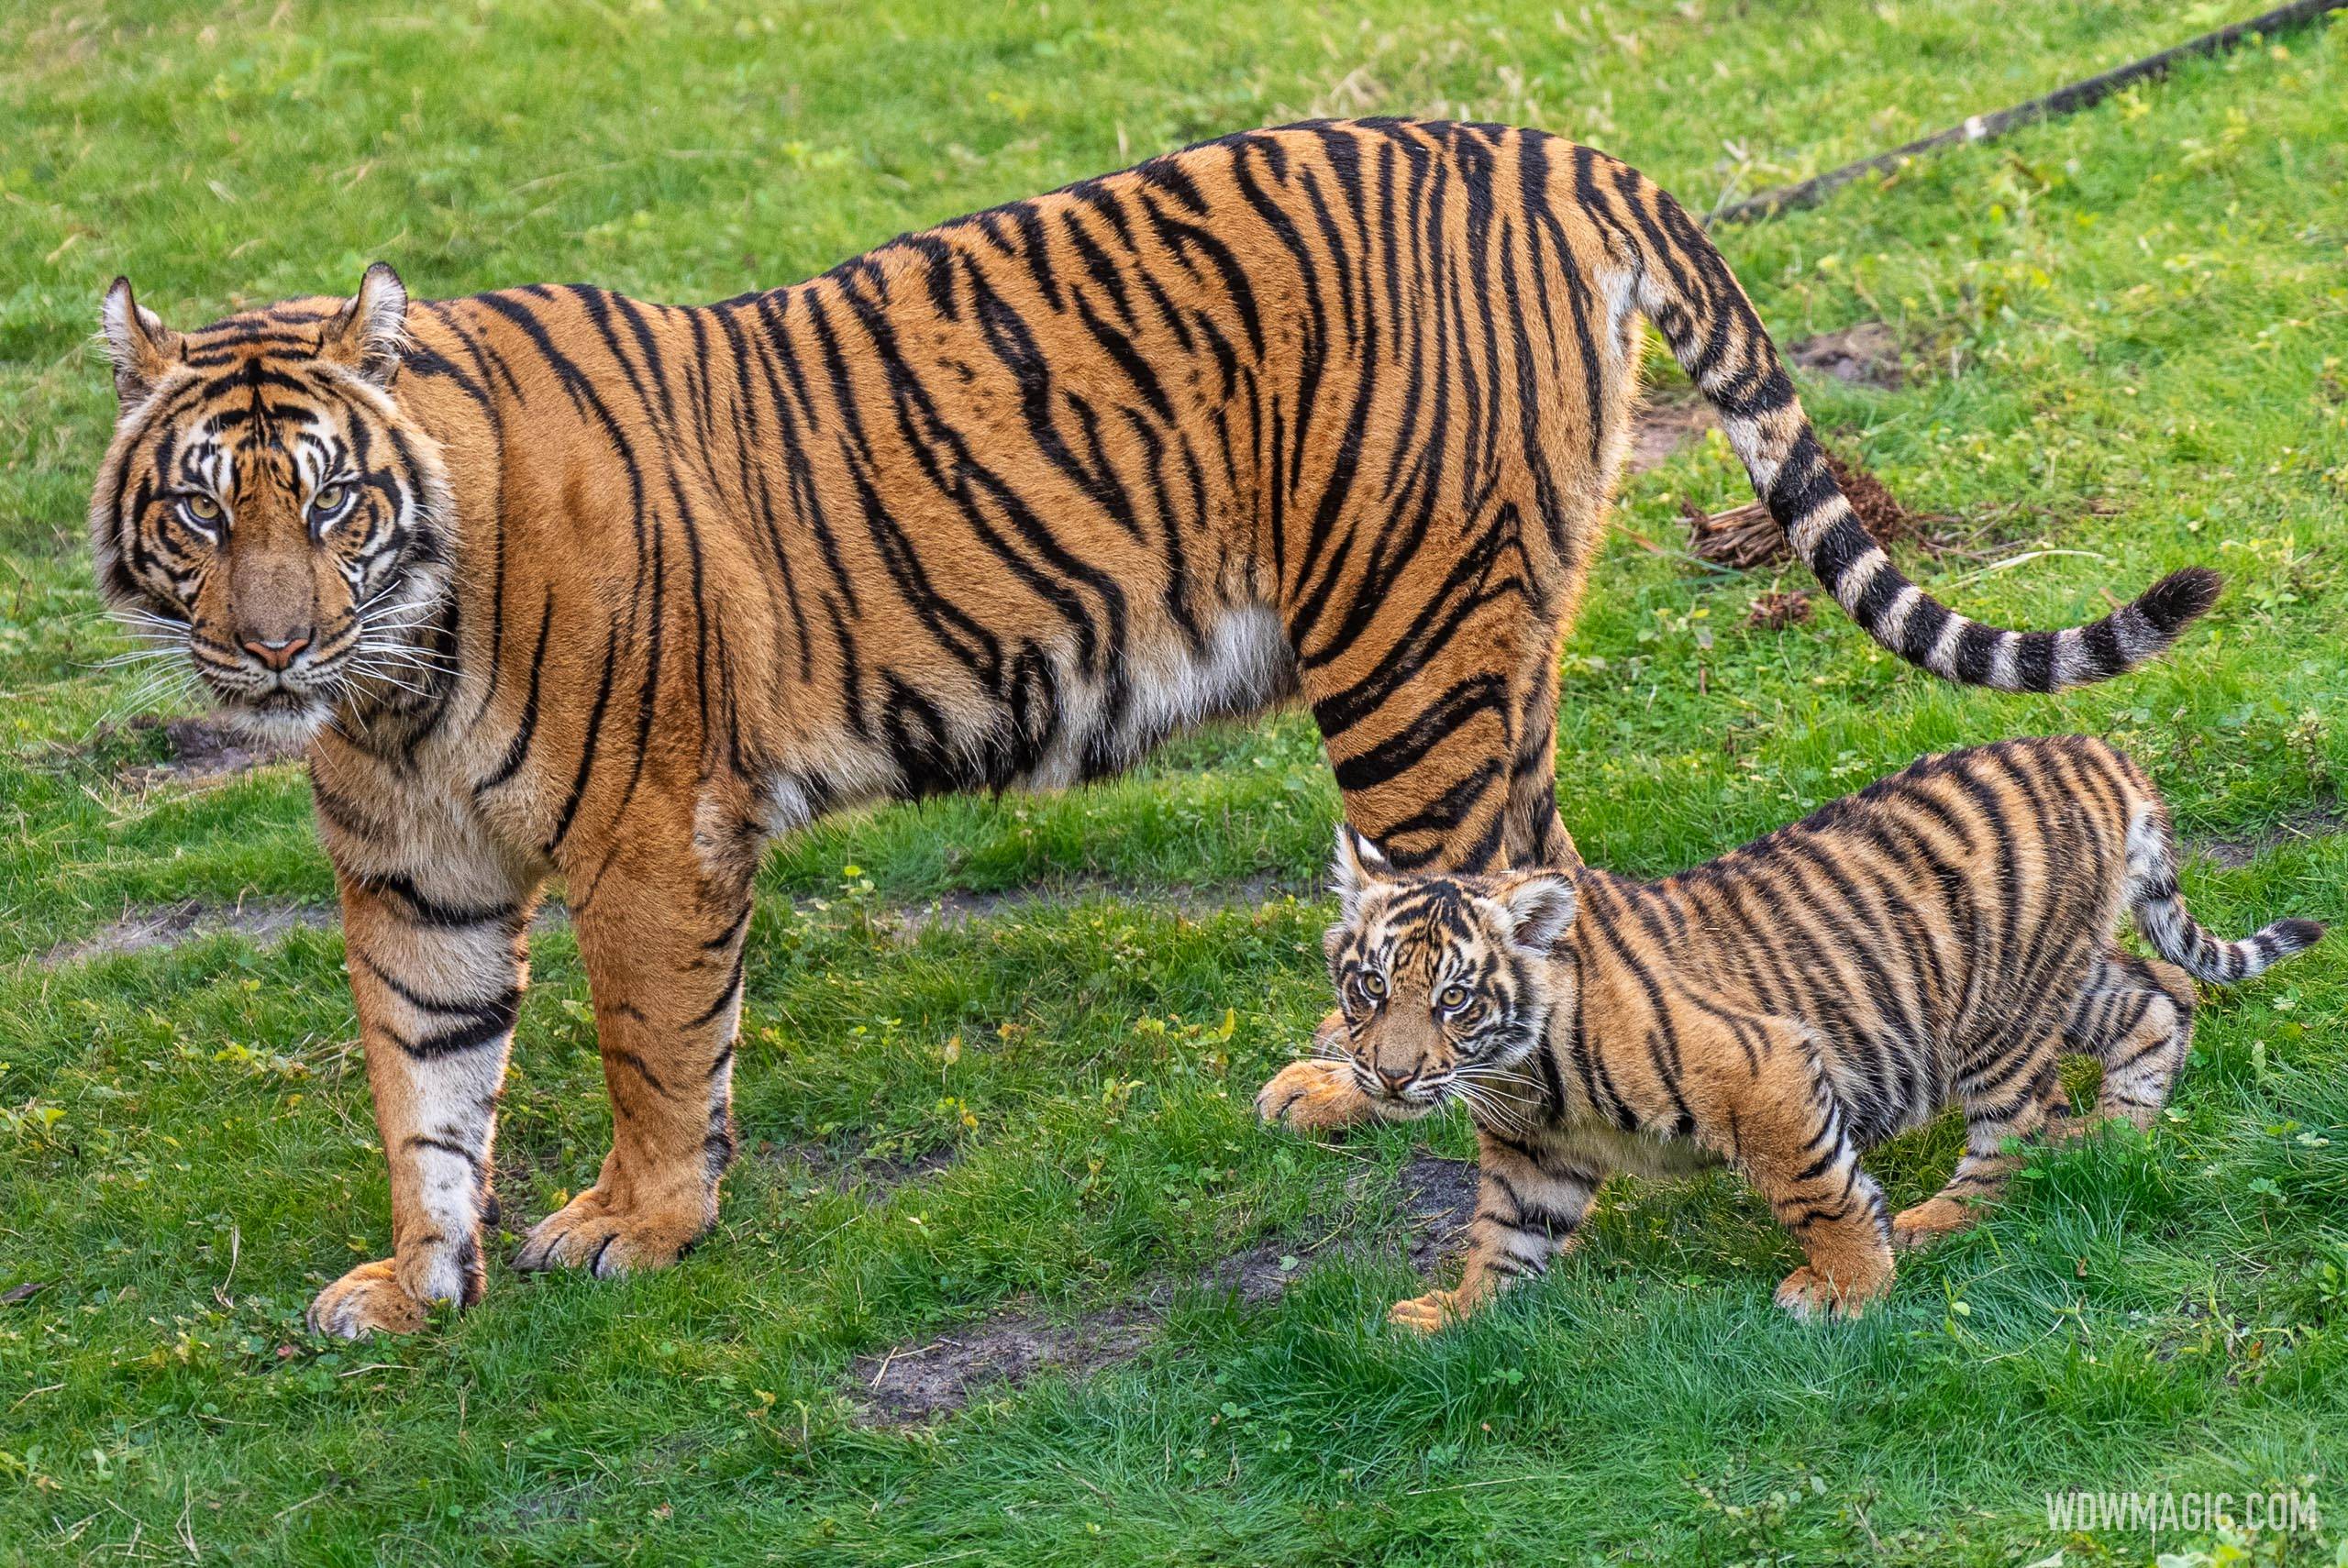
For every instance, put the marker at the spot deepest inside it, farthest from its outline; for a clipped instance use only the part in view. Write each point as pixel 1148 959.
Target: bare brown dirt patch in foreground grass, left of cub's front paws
pixel 919 1384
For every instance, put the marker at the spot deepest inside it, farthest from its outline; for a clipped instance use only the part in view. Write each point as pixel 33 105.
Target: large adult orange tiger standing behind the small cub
pixel 560 583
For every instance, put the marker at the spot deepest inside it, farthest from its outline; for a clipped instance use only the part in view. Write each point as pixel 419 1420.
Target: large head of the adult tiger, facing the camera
pixel 266 511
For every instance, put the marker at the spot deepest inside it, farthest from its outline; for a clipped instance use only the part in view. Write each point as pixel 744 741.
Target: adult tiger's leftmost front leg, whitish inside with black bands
pixel 436 968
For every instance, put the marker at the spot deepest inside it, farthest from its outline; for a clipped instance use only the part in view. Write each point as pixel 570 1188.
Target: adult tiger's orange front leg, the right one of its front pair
pixel 663 947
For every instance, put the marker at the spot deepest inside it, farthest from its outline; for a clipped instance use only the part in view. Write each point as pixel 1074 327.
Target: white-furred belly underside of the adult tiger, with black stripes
pixel 1037 719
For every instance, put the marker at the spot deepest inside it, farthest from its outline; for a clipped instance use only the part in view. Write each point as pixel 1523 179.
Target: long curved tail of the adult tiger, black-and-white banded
pixel 1689 292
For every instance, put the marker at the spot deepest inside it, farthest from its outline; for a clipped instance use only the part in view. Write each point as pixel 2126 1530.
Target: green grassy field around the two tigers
pixel 2126 349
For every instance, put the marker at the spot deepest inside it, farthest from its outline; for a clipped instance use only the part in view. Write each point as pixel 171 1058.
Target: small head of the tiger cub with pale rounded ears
pixel 1443 978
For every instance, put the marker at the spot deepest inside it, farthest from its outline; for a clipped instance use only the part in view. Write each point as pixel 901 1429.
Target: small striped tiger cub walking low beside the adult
pixel 1938 938
